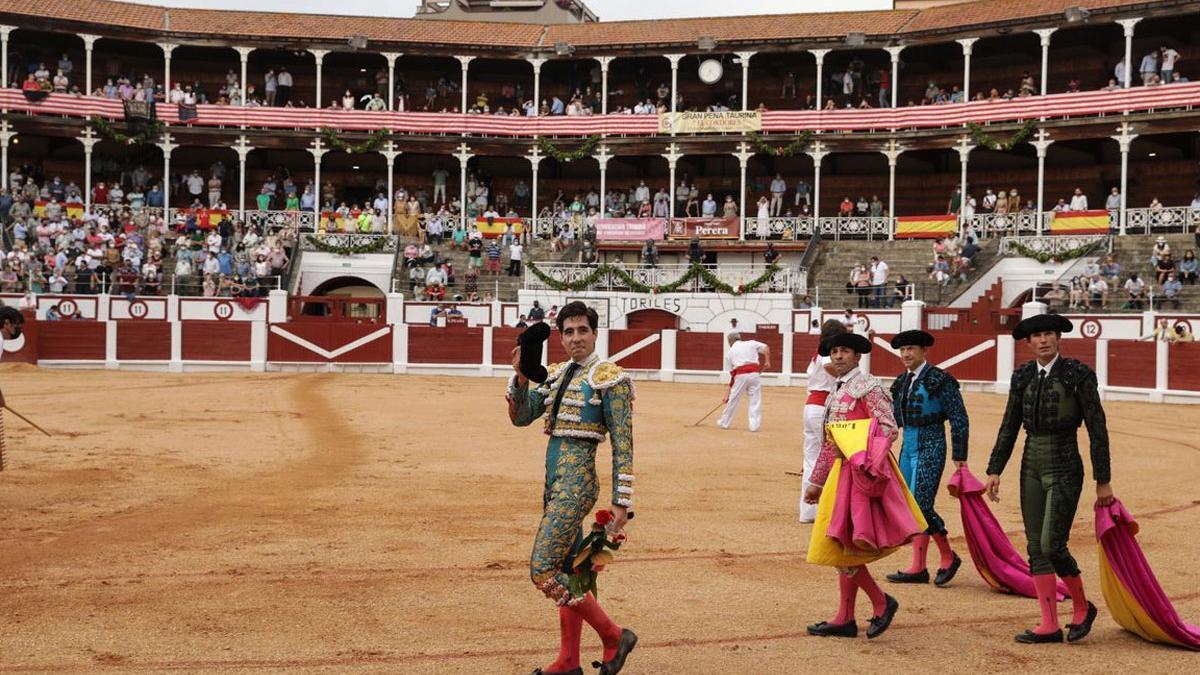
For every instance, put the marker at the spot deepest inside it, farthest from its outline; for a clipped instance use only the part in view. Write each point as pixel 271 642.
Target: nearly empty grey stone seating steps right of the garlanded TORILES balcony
pixel 831 272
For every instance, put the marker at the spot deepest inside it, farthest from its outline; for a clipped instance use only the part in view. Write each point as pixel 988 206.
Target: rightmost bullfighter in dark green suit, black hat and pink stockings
pixel 1052 397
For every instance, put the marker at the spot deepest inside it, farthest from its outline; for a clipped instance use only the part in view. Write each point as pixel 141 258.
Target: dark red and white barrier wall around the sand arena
pixel 178 334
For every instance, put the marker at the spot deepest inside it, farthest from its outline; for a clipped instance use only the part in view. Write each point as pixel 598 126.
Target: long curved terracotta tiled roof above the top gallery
pixel 502 35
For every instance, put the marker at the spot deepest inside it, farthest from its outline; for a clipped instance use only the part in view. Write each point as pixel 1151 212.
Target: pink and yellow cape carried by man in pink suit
pixel 874 510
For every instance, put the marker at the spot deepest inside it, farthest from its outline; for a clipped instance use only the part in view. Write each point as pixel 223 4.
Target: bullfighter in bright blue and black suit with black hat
pixel 923 399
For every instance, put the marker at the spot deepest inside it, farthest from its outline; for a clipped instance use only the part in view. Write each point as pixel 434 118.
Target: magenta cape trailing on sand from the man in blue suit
pixel 993 553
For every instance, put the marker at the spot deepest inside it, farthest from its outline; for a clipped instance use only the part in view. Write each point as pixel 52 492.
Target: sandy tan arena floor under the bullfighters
pixel 333 523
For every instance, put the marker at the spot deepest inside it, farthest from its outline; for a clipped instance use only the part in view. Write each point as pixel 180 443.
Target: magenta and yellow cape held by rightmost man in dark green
pixel 1131 590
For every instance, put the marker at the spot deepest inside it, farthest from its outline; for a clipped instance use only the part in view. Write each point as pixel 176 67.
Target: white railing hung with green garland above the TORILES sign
pixel 787 280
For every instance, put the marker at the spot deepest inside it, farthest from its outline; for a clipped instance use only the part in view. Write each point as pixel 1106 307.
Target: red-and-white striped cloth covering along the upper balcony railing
pixel 1077 105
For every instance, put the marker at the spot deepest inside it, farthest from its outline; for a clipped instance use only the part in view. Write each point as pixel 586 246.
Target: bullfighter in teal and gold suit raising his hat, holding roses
pixel 586 398
